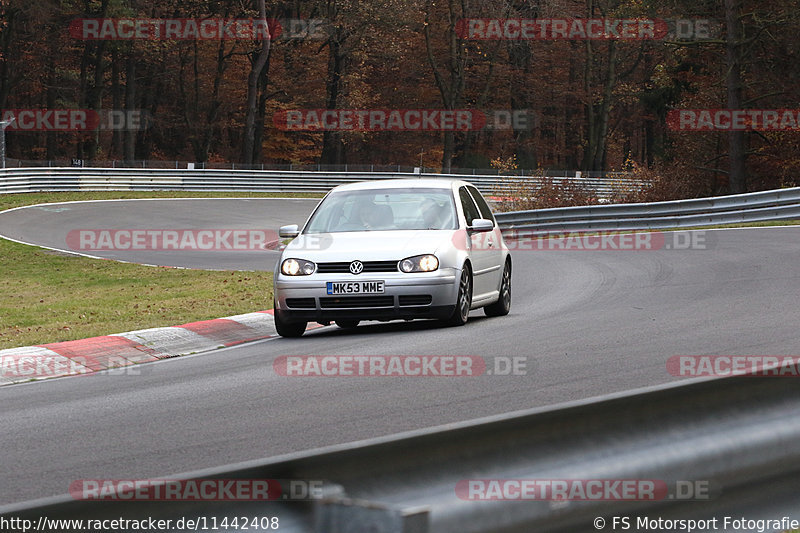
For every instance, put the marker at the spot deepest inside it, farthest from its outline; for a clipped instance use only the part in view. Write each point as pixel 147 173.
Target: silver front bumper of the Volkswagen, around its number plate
pixel 405 296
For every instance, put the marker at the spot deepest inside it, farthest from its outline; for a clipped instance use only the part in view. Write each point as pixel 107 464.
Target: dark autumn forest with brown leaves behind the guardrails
pixel 599 104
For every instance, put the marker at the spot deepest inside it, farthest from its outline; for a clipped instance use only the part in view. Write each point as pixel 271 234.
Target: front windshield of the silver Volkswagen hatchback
pixel 384 210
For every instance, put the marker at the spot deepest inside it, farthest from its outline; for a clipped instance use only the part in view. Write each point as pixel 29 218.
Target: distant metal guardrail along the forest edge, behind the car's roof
pixel 95 179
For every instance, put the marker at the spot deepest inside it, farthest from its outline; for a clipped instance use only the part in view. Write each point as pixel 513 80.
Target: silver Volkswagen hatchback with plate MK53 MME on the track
pixel 393 249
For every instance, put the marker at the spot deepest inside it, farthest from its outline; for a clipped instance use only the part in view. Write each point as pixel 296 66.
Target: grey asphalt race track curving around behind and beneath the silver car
pixel 588 322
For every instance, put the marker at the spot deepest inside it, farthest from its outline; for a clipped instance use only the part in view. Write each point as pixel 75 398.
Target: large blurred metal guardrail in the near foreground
pixel 737 437
